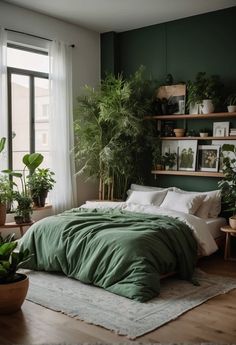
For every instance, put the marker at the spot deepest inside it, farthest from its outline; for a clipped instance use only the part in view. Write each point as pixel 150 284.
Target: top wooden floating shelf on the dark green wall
pixel 190 116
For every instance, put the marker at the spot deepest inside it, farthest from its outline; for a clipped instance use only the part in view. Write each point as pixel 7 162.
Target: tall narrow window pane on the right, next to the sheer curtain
pixel 42 119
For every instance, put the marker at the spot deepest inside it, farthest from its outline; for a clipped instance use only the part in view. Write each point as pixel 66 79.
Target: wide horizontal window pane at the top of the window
pixel 27 60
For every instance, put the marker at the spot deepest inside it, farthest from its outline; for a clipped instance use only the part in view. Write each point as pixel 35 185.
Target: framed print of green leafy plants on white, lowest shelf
pixel 187 154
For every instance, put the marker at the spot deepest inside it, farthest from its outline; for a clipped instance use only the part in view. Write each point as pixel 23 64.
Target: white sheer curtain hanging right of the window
pixel 61 126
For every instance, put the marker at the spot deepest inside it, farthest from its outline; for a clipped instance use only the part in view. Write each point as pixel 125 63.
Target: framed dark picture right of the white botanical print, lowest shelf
pixel 208 157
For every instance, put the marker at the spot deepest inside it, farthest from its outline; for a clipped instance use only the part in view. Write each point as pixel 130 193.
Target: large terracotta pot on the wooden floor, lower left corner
pixel 12 295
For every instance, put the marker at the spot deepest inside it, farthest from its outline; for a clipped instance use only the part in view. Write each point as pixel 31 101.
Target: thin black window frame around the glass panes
pixel 32 75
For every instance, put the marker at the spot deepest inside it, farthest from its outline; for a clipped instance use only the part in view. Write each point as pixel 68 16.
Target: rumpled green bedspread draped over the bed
pixel 122 252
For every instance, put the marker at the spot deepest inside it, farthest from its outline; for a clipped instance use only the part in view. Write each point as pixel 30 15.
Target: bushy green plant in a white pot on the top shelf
pixel 203 93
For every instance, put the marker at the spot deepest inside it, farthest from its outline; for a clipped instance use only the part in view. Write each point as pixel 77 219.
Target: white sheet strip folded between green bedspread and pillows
pixel 206 242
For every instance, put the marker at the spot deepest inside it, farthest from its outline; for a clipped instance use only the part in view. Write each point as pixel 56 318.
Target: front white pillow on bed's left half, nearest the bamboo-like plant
pixel 146 197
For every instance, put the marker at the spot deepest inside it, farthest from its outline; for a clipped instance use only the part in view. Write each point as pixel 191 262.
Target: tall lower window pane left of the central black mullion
pixel 20 119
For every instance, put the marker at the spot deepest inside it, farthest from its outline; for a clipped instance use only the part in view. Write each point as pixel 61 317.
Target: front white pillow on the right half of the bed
pixel 182 202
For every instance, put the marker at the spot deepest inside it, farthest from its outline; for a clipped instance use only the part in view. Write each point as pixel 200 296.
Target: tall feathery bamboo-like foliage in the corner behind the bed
pixel 110 129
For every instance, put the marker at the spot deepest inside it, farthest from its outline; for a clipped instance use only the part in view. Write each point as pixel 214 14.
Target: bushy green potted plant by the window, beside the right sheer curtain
pixel 39 183
